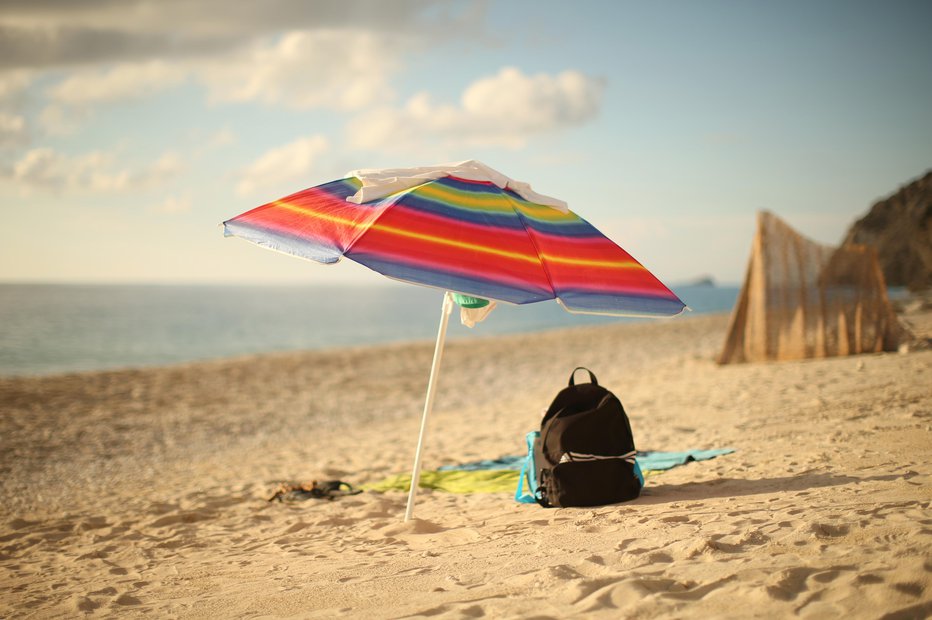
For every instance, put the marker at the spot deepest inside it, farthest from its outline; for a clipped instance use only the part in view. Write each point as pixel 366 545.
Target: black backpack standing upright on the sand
pixel 585 452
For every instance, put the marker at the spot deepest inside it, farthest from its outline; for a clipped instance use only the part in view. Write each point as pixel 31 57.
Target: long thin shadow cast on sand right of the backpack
pixel 736 487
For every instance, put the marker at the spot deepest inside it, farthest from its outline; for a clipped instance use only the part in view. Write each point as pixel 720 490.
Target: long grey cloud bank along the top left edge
pixel 41 35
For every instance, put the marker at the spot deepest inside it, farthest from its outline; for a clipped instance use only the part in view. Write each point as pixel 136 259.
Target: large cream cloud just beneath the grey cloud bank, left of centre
pixel 339 69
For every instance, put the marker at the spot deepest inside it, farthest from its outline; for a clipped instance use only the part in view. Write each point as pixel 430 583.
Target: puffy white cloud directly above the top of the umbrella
pixel 506 110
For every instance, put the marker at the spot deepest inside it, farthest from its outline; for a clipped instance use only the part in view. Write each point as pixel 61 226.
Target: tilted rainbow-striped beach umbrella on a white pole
pixel 461 228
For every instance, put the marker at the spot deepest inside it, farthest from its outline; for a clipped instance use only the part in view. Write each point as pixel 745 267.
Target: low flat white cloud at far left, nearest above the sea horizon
pixel 97 171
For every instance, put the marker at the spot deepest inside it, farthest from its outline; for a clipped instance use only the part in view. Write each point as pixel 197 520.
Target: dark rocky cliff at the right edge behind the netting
pixel 900 229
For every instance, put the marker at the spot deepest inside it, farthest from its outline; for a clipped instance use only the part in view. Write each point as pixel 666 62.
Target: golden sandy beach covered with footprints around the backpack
pixel 142 492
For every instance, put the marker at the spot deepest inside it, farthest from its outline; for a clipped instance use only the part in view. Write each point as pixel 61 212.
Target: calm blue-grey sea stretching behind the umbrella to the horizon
pixel 58 328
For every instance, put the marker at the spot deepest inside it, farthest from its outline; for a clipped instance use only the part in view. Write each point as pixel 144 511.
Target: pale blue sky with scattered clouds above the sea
pixel 130 129
